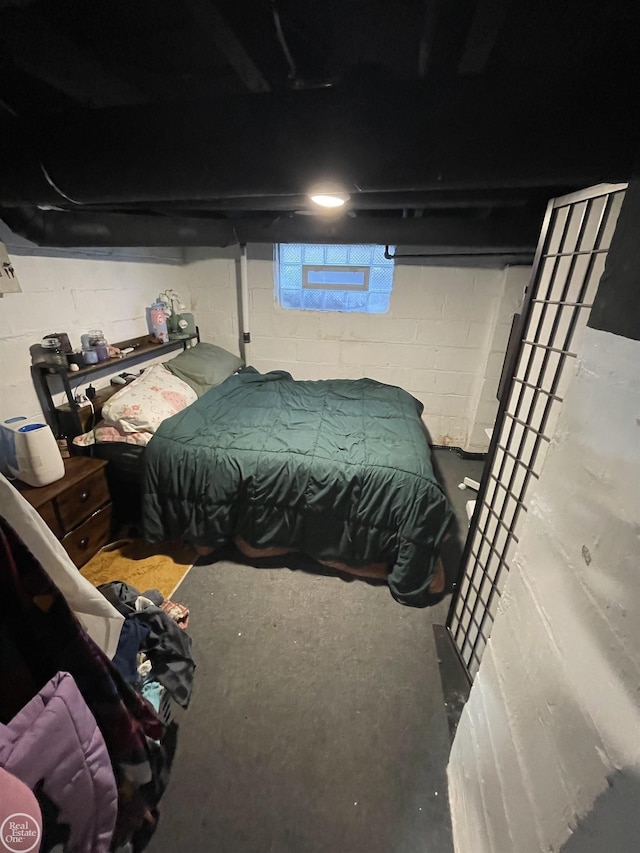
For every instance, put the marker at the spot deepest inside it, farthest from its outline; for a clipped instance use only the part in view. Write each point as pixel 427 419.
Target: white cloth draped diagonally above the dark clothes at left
pixel 100 619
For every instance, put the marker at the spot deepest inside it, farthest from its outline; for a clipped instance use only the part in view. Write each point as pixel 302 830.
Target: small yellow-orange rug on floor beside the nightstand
pixel 141 565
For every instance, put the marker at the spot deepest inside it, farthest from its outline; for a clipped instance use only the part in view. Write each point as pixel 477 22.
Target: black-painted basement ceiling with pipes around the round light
pixel 204 122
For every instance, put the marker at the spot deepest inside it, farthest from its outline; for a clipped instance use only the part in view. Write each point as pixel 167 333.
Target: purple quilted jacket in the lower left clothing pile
pixel 55 738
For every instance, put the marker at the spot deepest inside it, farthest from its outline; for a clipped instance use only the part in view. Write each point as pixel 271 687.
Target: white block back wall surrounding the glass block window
pixel 438 340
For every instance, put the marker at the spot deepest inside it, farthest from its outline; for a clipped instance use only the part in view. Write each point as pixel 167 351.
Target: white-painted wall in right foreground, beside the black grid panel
pixel 547 747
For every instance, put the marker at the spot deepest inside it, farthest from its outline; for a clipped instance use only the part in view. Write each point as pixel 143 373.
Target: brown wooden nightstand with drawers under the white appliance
pixel 77 508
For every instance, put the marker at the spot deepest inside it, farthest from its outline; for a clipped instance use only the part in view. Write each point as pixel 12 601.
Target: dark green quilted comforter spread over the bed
pixel 338 469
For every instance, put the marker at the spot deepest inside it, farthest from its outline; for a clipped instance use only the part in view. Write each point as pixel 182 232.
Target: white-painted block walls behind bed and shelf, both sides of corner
pixel 440 340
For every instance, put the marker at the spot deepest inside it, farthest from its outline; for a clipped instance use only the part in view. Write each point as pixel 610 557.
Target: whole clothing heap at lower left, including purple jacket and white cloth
pixel 74 730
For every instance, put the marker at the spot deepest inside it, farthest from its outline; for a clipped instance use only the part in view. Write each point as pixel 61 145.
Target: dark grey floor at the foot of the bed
pixel 317 721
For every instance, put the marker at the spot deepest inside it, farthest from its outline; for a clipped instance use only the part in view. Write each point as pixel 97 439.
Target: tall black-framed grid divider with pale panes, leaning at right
pixel 569 262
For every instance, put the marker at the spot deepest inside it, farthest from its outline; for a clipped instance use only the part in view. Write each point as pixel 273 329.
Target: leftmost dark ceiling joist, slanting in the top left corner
pixel 43 52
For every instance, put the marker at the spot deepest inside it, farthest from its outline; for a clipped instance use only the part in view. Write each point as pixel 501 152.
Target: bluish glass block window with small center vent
pixel 325 277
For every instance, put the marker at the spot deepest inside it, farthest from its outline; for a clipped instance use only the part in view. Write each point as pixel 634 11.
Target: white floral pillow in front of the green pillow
pixel 142 405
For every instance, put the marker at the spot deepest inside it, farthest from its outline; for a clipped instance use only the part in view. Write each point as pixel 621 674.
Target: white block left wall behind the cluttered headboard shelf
pixel 73 294
